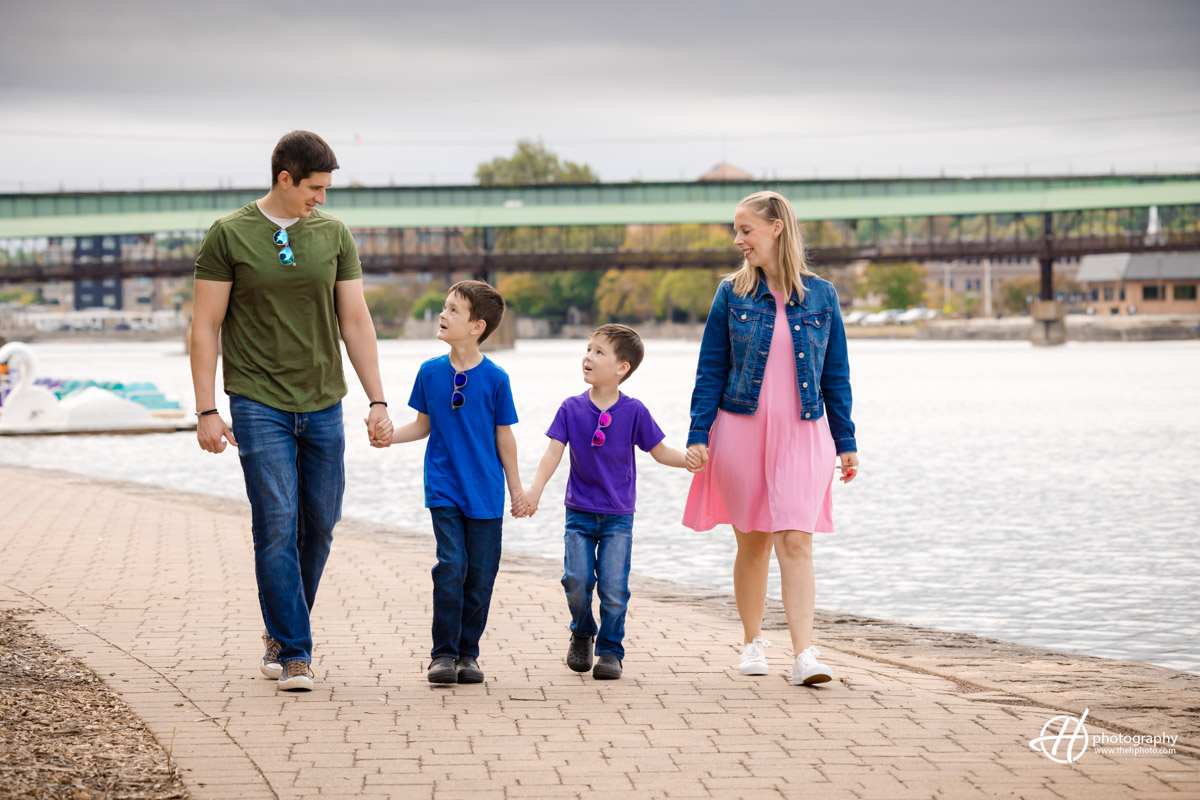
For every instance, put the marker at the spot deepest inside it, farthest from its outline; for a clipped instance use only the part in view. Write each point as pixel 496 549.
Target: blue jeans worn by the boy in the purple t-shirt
pixel 598 556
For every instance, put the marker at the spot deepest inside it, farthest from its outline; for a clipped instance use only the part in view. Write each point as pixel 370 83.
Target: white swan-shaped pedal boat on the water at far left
pixel 31 410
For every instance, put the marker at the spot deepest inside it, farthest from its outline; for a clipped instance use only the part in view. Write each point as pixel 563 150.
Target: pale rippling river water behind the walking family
pixel 1040 496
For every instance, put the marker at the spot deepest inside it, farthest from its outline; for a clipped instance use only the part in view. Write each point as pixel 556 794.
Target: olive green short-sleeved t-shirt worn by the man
pixel 280 338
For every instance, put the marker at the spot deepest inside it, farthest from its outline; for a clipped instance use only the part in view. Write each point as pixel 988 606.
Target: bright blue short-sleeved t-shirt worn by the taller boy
pixel 463 466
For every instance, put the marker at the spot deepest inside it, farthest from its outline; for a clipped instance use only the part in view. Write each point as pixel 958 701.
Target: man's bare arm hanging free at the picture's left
pixel 211 300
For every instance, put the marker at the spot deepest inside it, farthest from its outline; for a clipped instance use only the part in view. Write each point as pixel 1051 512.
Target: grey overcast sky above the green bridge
pixel 140 94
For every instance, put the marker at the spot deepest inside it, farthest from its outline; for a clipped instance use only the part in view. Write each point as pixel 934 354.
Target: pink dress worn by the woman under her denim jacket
pixel 772 471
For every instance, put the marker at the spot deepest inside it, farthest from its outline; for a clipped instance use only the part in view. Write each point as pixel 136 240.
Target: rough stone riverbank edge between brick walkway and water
pixel 1125 696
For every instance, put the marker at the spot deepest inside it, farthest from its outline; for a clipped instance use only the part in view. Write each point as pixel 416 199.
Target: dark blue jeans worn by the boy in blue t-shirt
pixel 469 560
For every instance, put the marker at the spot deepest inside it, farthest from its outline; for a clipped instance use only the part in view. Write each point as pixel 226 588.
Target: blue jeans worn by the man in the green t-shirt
pixel 296 476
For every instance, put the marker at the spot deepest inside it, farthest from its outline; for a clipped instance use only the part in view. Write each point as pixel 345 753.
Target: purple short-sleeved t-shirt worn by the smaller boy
pixel 604 480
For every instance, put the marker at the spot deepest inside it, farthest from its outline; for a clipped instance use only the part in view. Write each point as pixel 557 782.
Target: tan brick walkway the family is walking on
pixel 155 592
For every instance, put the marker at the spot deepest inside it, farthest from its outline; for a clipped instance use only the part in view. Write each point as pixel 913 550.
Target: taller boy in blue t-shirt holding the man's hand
pixel 465 406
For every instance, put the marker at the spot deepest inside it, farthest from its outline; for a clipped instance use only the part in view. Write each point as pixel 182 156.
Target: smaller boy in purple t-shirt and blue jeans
pixel 602 428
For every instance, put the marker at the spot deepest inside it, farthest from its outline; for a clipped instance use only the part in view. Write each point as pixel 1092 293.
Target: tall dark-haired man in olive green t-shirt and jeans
pixel 279 281
